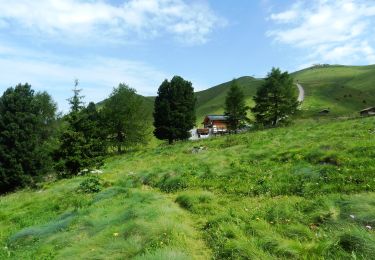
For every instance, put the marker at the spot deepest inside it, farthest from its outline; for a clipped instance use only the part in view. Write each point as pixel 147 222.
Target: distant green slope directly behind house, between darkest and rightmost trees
pixel 211 101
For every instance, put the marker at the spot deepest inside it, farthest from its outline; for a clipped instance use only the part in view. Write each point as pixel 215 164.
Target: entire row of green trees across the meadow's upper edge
pixel 36 141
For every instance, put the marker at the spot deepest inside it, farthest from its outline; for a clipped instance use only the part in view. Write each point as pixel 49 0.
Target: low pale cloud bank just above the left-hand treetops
pixel 56 74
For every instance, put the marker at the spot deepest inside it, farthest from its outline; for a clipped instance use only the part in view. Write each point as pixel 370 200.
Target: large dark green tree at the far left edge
pixel 25 118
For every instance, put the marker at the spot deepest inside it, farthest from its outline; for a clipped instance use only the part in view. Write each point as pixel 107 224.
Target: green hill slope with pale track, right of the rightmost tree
pixel 345 90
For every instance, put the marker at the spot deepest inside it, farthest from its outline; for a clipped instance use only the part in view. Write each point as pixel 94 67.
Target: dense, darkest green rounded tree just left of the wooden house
pixel 174 110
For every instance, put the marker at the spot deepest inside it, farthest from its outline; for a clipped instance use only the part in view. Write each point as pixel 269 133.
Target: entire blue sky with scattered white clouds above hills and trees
pixel 49 43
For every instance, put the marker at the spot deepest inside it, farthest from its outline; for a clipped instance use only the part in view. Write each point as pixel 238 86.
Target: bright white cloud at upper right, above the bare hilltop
pixel 330 31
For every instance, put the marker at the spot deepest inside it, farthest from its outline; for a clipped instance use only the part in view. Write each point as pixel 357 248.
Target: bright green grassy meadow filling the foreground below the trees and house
pixel 298 192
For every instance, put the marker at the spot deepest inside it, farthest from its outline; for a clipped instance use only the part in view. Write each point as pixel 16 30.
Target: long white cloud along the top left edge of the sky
pixel 97 19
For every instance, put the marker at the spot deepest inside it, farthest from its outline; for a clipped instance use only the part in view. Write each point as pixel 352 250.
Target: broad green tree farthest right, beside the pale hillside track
pixel 276 99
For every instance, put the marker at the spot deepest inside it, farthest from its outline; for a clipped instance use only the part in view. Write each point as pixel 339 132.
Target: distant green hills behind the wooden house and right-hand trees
pixel 344 90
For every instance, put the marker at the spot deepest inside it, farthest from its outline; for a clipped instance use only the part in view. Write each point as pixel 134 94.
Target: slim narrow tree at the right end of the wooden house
pixel 235 107
